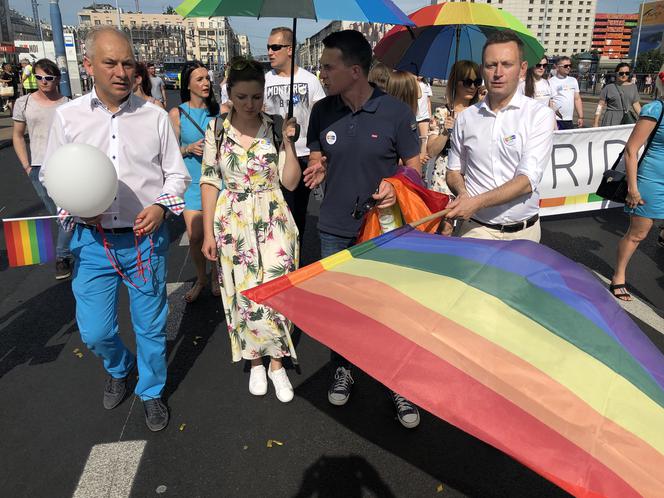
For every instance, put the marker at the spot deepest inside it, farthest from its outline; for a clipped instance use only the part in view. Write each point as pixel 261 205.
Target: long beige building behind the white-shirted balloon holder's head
pixel 160 37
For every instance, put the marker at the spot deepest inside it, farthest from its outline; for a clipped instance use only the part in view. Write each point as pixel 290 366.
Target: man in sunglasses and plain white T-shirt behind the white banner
pixel 566 96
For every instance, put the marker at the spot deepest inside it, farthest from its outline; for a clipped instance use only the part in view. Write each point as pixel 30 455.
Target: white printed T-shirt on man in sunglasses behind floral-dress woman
pixel 306 92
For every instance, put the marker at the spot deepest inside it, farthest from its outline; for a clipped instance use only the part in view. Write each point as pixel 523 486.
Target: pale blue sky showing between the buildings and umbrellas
pixel 257 30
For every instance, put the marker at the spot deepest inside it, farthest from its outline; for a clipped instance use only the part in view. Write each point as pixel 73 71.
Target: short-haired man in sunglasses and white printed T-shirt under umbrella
pixel 306 92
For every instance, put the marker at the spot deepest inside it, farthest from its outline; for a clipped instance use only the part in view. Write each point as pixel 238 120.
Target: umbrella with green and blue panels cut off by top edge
pixel 380 11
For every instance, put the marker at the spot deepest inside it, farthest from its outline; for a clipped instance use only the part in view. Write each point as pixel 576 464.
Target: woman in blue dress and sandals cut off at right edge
pixel 645 186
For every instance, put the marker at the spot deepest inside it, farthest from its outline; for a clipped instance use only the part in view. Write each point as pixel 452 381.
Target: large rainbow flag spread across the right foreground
pixel 509 341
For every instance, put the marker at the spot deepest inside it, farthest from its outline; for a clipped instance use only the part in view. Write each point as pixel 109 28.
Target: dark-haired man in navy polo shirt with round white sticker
pixel 356 135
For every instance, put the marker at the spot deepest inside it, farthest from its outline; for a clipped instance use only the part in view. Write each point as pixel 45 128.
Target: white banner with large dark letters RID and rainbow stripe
pixel 578 160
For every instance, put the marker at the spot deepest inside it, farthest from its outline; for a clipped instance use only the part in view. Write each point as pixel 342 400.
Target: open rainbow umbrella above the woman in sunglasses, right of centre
pixel 448 32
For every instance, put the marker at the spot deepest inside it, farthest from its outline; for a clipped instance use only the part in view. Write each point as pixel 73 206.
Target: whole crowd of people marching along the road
pixel 240 172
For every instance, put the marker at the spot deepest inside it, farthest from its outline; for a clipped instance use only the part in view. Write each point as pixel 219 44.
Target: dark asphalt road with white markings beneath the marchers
pixel 58 441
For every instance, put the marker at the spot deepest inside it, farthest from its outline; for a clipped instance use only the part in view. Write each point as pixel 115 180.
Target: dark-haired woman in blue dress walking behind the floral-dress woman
pixel 190 120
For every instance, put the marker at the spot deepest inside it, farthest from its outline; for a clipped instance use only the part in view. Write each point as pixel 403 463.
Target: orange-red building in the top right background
pixel 612 34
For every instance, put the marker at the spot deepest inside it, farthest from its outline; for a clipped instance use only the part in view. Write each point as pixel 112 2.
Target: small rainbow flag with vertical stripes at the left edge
pixel 29 240
